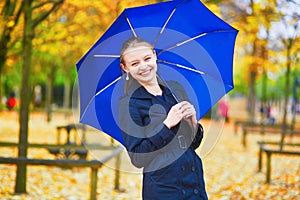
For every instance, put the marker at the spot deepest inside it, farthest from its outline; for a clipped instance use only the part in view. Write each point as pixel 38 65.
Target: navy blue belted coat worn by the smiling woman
pixel 171 168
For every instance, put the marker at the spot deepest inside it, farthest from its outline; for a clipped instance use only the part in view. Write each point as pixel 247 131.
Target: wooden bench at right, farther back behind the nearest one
pixel 262 129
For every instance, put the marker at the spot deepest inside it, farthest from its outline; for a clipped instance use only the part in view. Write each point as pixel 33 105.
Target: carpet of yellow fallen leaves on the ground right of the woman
pixel 231 170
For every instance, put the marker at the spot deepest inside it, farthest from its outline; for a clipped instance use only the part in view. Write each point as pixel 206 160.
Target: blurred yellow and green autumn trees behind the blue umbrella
pixel 38 60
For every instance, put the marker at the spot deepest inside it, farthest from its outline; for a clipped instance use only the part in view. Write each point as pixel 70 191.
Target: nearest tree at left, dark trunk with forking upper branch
pixel 34 13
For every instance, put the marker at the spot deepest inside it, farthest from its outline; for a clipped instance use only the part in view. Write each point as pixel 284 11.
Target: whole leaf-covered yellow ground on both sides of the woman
pixel 230 169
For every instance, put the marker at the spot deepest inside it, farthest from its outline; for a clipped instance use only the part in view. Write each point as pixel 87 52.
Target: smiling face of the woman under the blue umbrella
pixel 140 62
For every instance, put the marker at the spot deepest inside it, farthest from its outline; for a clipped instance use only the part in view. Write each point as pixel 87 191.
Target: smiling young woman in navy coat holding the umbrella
pixel 160 134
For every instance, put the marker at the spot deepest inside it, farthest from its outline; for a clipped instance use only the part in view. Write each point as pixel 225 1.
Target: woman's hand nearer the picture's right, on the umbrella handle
pixel 189 113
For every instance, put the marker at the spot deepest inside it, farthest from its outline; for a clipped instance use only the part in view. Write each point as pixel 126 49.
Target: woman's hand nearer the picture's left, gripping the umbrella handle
pixel 175 115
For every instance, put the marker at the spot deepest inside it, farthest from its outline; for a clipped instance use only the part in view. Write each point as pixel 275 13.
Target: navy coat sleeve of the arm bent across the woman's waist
pixel 141 148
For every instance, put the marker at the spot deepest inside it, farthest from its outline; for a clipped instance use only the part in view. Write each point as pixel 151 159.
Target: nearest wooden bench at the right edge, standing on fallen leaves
pixel 264 147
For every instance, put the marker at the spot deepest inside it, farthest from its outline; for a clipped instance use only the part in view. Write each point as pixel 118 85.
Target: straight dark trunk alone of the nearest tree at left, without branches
pixel 20 186
